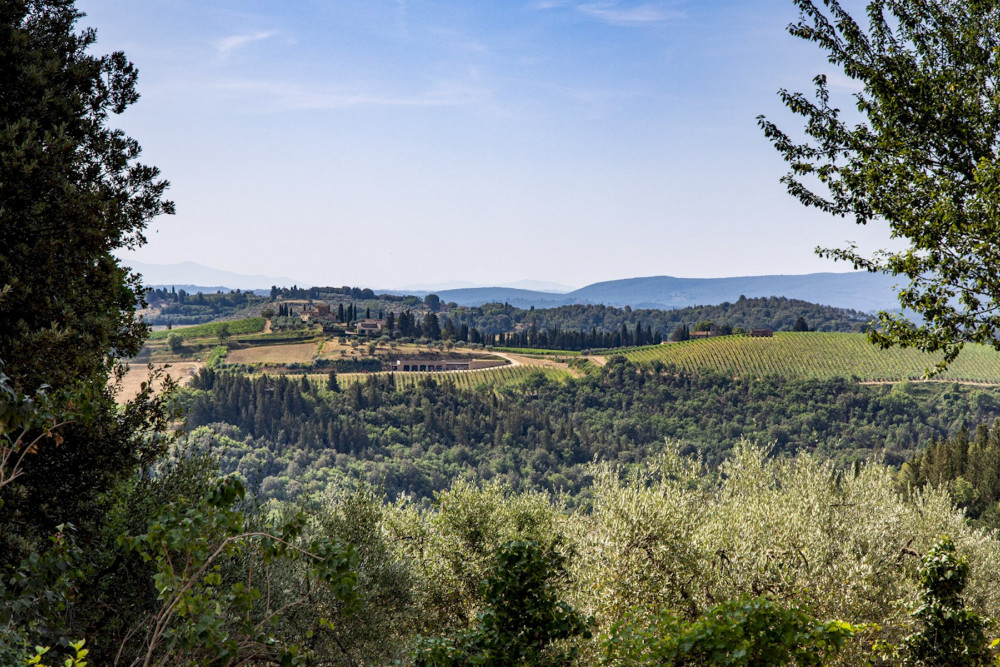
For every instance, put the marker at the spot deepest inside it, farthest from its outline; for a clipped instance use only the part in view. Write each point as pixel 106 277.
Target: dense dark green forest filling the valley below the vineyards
pixel 286 435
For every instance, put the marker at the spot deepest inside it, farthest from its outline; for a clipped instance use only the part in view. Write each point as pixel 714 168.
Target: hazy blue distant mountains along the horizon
pixel 857 290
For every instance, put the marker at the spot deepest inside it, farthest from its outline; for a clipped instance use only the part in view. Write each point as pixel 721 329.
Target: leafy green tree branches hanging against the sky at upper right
pixel 922 159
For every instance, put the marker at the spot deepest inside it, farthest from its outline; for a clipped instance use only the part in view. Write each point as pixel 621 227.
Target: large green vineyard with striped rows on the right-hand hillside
pixel 821 355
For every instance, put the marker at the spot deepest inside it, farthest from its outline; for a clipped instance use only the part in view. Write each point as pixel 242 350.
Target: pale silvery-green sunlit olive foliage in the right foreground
pixel 674 540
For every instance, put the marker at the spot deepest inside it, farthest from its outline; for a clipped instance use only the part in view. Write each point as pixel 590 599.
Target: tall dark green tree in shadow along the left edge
pixel 72 192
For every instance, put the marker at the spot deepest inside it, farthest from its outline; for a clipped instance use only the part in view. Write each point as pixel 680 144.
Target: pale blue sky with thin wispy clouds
pixel 394 142
